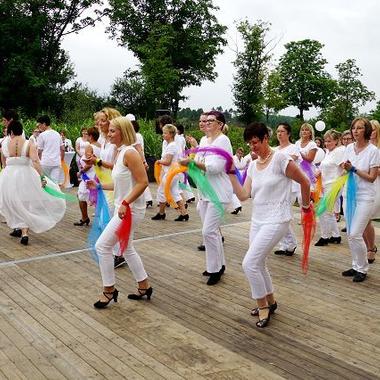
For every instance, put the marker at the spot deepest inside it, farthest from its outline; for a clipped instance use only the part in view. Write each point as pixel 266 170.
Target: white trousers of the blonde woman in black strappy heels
pixel 105 245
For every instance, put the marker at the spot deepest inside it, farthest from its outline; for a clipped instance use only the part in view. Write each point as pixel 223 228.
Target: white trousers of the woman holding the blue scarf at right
pixel 362 216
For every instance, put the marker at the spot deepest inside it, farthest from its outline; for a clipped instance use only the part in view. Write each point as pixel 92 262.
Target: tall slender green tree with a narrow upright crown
pixel 251 66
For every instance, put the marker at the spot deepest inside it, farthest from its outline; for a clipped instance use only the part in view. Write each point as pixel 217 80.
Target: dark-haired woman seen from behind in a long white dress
pixel 23 202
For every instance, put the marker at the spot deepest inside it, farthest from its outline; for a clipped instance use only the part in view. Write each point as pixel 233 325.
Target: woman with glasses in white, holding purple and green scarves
pixel 214 168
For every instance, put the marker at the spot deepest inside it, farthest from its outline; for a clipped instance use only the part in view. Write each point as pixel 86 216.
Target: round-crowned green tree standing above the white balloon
pixel 304 81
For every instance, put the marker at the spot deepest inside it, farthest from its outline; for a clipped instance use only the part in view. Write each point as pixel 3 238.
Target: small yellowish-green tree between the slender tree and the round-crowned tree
pixel 274 100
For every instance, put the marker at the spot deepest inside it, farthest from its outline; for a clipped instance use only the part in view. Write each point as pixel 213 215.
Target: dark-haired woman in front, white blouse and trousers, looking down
pixel 269 184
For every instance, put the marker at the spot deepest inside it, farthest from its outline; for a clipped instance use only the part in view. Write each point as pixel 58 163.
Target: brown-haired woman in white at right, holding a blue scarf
pixel 363 159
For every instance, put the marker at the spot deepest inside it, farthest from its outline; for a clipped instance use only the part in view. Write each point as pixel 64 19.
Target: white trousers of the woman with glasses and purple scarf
pixel 212 237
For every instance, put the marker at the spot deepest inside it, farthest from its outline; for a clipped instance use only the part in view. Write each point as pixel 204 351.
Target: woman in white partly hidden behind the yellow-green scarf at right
pixel 330 170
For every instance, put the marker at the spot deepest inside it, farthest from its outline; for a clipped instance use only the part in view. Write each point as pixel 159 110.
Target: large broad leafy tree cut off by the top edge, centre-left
pixel 176 42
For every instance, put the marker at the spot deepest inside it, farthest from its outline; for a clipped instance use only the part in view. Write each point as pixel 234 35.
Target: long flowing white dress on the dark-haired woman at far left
pixel 23 202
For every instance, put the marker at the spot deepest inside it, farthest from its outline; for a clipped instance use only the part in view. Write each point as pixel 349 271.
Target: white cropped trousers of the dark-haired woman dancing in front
pixel 262 239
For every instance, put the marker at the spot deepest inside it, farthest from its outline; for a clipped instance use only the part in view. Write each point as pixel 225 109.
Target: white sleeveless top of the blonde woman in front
pixel 124 182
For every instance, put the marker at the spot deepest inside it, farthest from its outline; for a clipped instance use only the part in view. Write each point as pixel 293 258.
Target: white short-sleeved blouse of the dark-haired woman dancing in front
pixel 271 191
